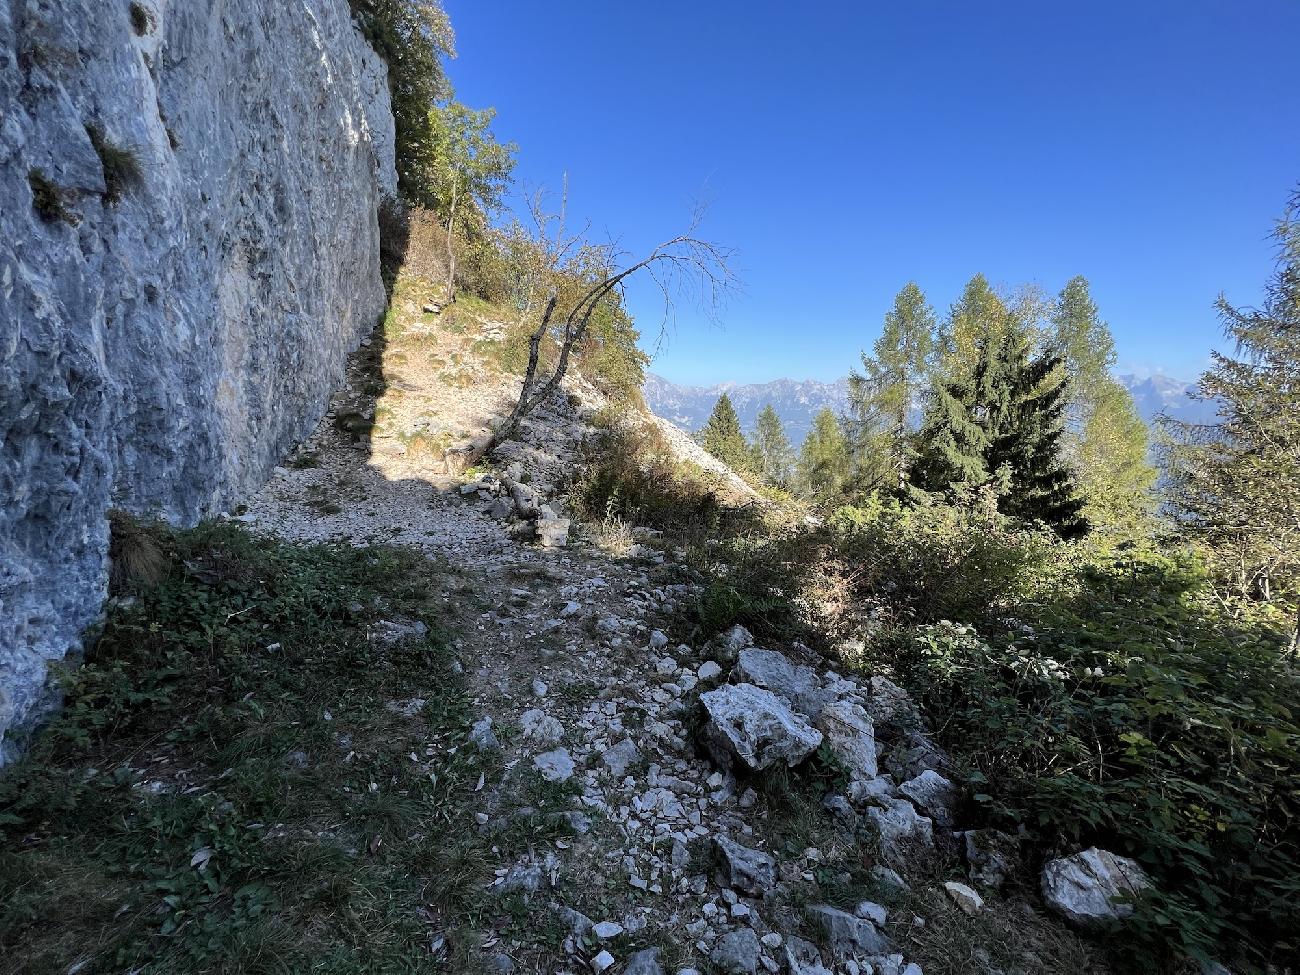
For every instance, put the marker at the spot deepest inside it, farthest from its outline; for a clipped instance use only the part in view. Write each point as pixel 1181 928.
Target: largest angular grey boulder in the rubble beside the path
pixel 755 727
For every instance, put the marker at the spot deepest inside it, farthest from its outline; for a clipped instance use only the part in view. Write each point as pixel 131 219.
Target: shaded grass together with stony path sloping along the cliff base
pixel 467 748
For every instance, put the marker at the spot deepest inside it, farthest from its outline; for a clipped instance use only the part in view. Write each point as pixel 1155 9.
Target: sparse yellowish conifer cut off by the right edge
pixel 1234 483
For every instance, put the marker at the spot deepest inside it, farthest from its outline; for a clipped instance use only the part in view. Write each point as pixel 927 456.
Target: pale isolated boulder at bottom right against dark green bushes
pixel 1085 889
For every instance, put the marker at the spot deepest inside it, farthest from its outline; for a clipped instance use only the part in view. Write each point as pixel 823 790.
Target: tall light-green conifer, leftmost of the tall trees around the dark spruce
pixel 882 400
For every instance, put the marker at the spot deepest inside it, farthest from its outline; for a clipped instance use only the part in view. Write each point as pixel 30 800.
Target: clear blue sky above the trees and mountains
pixel 850 148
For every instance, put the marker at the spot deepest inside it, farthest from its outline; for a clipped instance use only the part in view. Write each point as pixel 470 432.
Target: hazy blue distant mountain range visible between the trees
pixel 799 401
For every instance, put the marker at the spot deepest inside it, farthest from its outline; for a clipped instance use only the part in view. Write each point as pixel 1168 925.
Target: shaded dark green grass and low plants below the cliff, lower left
pixel 228 788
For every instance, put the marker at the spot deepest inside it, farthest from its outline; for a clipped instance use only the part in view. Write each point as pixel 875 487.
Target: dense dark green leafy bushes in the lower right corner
pixel 1123 712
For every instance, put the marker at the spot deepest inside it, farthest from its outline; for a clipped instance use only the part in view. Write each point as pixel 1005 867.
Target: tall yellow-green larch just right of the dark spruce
pixel 1106 440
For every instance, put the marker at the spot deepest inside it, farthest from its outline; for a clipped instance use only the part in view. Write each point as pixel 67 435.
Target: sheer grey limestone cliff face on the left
pixel 162 350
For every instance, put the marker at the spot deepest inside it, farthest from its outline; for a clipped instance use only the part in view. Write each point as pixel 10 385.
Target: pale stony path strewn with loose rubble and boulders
pixel 725 808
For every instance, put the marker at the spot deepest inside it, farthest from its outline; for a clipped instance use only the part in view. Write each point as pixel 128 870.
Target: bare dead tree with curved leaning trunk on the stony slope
pixel 682 261
